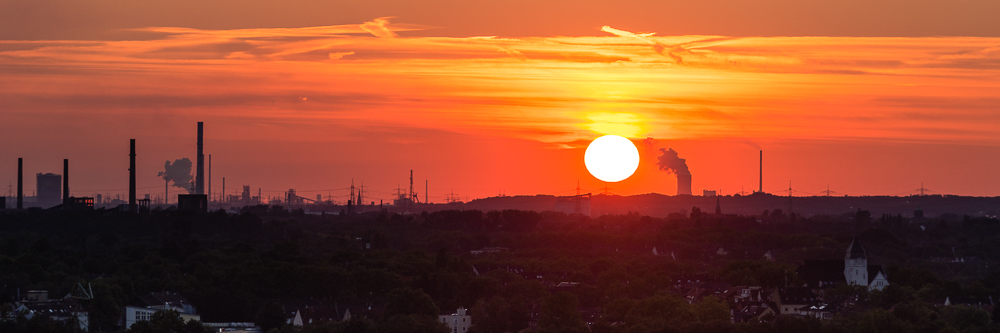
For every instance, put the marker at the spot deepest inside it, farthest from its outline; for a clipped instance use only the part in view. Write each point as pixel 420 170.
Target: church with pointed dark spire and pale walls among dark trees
pixel 853 270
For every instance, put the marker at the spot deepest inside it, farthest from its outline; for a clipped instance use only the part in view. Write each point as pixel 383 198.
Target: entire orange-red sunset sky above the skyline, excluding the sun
pixel 482 98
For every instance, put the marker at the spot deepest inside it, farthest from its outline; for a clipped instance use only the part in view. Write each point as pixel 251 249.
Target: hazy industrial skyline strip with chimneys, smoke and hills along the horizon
pixel 193 196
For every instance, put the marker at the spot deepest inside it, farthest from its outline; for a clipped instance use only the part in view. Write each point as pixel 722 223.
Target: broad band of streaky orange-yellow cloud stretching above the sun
pixel 536 88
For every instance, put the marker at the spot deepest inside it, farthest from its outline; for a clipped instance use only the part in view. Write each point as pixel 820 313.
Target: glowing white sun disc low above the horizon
pixel 611 158
